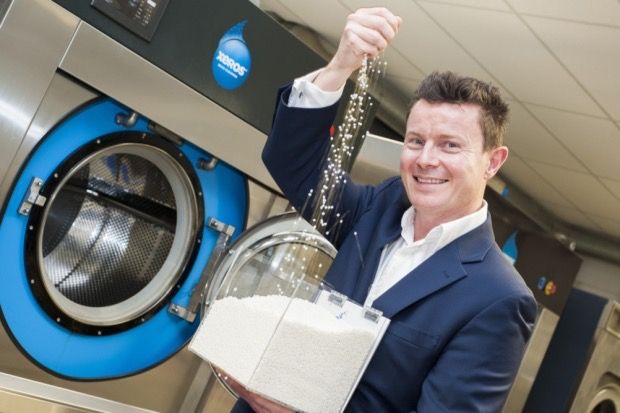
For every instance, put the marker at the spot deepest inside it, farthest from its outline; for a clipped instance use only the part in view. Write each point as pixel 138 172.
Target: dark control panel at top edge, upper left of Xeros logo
pixel 139 16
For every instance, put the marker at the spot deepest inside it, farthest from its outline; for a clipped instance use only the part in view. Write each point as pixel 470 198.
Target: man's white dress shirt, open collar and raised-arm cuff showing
pixel 403 255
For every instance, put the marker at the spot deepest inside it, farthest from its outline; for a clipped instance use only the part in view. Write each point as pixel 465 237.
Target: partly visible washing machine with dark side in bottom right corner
pixel 581 371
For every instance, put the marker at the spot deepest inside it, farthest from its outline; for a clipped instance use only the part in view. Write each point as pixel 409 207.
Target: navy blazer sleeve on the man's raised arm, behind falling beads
pixel 295 155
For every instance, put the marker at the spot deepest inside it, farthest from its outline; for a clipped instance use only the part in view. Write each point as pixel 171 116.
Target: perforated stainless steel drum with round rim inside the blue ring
pixel 115 235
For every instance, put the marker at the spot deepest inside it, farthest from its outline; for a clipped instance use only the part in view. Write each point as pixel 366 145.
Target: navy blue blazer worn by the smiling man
pixel 459 321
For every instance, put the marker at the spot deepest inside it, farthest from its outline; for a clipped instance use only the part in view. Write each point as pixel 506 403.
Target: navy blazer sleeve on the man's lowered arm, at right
pixel 477 368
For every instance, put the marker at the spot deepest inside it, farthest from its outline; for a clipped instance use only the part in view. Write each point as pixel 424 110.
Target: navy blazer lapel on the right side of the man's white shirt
pixel 438 271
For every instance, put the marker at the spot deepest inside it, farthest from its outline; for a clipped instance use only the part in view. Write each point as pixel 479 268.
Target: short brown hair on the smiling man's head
pixel 449 87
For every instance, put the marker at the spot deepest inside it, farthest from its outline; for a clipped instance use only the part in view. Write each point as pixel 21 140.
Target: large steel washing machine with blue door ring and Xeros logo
pixel 130 139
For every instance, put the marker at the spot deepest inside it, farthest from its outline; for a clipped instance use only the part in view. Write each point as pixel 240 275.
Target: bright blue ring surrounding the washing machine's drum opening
pixel 77 356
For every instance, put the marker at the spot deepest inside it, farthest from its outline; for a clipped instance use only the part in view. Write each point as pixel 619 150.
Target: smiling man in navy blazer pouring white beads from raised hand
pixel 460 314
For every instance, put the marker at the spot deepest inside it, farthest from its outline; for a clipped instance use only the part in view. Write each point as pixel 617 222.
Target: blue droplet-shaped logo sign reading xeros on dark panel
pixel 232 61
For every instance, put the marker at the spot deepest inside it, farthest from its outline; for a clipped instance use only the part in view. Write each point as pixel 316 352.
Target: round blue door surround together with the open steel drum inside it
pixel 103 232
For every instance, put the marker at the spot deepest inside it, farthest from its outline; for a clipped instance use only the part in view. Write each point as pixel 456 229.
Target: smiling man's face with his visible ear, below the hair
pixel 443 166
